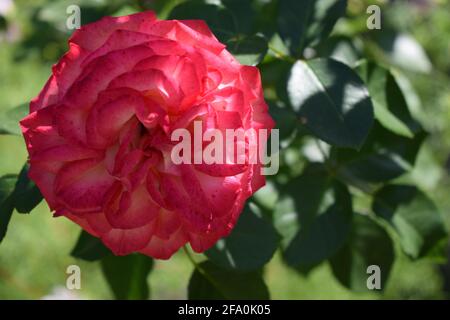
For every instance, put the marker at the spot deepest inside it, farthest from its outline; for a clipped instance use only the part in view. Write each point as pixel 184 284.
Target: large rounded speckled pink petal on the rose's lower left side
pixel 81 185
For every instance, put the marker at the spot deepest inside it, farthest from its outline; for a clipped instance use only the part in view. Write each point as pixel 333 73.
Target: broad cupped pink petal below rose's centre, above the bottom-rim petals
pixel 131 209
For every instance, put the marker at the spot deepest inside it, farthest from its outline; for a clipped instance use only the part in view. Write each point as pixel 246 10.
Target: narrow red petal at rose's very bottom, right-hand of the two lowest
pixel 165 248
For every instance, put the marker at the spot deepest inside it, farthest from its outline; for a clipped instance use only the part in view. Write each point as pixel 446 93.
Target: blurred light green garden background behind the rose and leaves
pixel 36 250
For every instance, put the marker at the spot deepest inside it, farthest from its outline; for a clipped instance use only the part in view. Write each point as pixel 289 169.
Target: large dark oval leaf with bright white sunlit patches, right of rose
pixel 332 101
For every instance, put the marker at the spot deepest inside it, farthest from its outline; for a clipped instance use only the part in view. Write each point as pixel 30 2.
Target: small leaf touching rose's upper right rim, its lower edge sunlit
pixel 248 50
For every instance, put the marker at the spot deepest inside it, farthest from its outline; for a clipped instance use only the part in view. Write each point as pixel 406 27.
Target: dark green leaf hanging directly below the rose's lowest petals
pixel 127 275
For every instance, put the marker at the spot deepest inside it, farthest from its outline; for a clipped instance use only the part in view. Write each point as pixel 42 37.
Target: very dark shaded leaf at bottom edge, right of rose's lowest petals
pixel 209 282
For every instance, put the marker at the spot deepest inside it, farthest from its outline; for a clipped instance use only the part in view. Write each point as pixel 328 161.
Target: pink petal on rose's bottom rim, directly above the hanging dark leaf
pixel 123 242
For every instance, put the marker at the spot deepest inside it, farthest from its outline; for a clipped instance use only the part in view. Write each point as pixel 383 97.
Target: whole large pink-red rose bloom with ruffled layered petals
pixel 99 134
